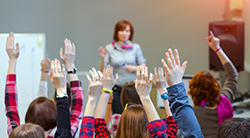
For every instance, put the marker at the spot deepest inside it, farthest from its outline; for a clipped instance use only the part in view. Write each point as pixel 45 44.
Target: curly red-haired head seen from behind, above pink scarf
pixel 204 86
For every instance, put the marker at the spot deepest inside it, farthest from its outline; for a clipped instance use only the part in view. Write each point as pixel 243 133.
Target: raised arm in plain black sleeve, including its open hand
pixel 58 78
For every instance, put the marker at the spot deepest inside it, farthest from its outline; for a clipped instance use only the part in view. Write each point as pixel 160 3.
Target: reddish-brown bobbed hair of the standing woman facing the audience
pixel 120 26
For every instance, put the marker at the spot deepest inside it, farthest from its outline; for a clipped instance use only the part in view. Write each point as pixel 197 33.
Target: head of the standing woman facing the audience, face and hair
pixel 123 31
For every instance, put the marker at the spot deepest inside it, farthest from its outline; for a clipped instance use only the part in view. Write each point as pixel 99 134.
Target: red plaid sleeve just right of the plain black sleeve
pixel 76 105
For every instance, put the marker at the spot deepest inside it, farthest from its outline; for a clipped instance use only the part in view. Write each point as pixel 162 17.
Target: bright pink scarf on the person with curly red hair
pixel 224 109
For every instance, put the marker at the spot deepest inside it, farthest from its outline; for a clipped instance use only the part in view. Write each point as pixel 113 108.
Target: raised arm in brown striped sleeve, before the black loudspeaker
pixel 230 85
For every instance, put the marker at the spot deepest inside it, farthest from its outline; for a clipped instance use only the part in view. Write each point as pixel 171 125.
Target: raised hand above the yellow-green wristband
pixel 109 80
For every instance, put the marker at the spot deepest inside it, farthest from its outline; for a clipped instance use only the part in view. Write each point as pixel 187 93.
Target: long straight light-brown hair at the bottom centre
pixel 132 123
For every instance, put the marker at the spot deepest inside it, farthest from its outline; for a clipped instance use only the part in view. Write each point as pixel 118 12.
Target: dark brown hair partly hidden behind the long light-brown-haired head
pixel 129 94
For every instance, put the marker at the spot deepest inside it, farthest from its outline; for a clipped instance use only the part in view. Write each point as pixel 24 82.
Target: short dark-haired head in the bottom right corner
pixel 234 128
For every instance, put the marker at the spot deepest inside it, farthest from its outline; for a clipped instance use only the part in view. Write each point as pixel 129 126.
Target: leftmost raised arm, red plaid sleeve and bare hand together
pixel 11 95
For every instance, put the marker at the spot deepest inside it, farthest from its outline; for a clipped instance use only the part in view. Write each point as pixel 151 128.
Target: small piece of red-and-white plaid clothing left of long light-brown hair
pixel 113 123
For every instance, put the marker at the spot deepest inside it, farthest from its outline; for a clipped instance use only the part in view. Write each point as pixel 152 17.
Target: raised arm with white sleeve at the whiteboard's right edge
pixel 43 86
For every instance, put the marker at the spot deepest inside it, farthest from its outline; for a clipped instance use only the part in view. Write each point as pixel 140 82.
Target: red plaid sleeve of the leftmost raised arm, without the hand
pixel 10 101
